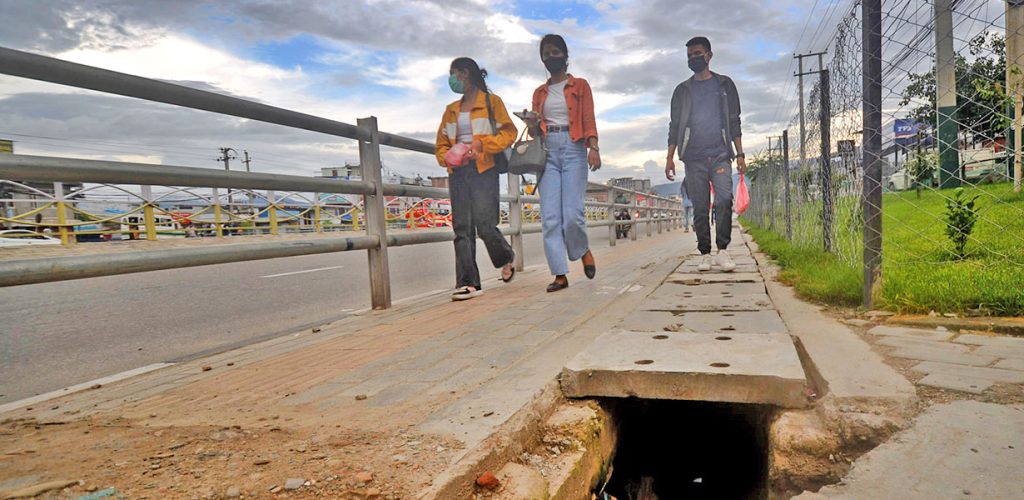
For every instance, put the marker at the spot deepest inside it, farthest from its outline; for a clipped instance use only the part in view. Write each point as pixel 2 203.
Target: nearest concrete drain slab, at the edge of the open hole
pixel 742 368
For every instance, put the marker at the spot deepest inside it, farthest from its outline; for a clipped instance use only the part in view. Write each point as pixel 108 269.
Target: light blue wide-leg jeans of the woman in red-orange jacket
pixel 563 189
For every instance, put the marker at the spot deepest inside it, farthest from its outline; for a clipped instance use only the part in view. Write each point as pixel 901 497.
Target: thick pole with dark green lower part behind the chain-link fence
pixel 946 96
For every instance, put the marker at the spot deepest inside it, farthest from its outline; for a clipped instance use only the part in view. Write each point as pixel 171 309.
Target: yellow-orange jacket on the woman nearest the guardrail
pixel 448 132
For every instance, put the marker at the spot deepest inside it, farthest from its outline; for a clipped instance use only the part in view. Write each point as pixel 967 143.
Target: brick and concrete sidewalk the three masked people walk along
pixel 418 401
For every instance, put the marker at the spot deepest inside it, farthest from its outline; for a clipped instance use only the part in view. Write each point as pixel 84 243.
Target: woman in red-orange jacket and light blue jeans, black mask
pixel 566 108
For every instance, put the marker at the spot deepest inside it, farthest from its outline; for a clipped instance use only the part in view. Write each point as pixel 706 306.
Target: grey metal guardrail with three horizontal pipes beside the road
pixel 376 241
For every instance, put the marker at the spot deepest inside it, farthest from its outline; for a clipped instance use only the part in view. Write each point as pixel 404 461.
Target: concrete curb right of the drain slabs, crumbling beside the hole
pixel 862 401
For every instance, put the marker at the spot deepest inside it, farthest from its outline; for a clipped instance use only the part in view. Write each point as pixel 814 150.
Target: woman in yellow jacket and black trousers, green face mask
pixel 474 179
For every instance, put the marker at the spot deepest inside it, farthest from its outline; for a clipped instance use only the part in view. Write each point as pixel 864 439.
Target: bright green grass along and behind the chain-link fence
pixel 919 272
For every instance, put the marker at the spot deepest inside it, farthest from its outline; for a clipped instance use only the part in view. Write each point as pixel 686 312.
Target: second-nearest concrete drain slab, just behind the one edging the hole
pixel 722 322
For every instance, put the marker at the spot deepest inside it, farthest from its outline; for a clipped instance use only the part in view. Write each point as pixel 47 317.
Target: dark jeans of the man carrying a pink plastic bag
pixel 700 177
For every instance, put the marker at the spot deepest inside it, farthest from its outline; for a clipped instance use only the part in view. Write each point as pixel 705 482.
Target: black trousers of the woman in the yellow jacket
pixel 475 213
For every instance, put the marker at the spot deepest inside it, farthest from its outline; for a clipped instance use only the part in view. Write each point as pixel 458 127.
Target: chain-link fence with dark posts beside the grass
pixel 952 213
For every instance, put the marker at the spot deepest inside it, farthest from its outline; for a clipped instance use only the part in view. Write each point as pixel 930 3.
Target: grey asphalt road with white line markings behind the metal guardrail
pixel 59 335
